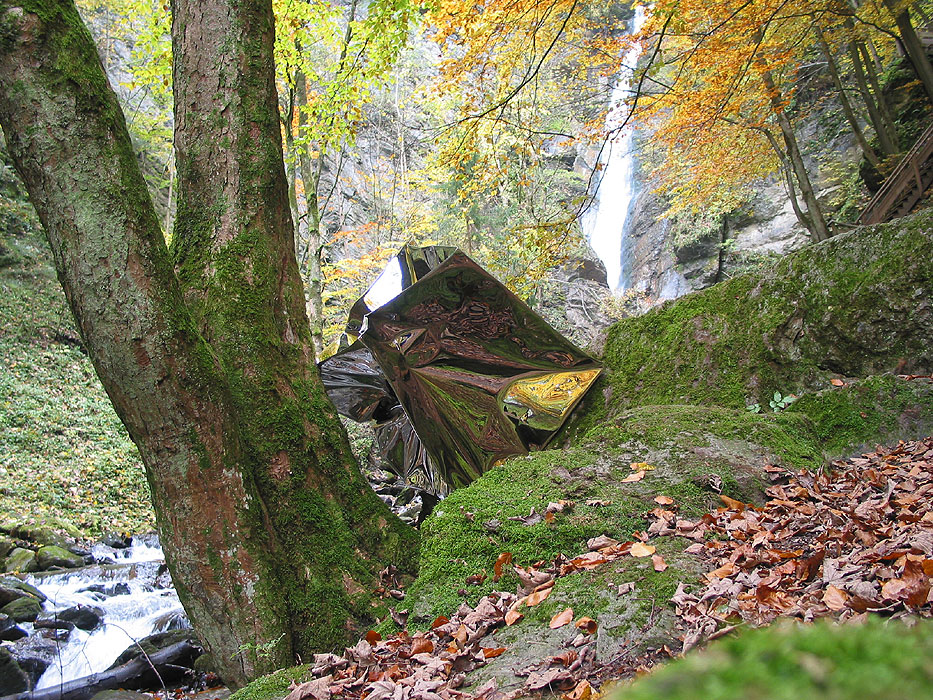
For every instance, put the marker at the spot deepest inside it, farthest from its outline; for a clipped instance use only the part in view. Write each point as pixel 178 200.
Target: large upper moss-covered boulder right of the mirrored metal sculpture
pixel 858 304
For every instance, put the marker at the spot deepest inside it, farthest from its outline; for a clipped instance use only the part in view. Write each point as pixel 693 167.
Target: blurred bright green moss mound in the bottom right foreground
pixel 790 661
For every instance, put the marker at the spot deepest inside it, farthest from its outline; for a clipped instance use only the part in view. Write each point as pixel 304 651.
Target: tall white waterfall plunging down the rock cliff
pixel 605 222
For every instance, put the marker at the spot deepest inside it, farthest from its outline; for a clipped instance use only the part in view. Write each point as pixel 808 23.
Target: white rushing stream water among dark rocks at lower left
pixel 137 610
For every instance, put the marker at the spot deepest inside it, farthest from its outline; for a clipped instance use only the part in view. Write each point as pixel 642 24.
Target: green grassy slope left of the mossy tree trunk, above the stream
pixel 63 451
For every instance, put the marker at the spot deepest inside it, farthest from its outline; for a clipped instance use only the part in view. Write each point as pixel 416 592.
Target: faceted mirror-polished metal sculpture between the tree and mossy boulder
pixel 457 371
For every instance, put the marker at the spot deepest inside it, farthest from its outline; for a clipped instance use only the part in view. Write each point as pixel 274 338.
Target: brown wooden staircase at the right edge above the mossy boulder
pixel 904 187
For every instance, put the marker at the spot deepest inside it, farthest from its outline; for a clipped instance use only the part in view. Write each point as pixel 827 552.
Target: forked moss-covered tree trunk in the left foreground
pixel 272 535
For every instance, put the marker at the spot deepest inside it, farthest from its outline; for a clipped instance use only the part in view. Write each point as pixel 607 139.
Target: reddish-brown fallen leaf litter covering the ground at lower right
pixel 853 540
